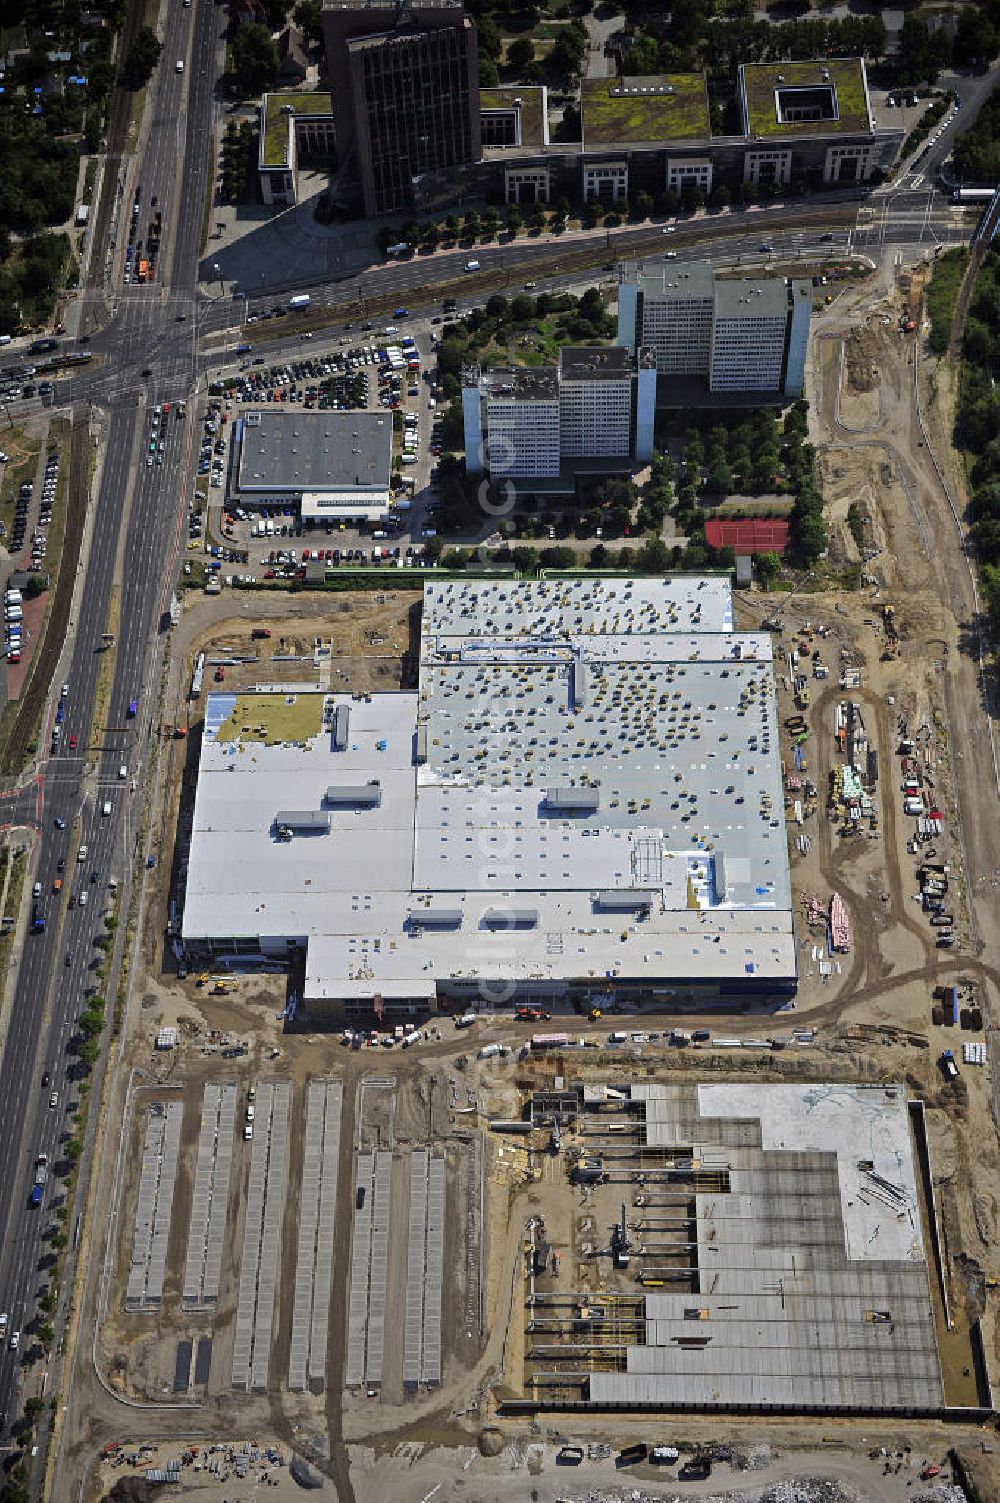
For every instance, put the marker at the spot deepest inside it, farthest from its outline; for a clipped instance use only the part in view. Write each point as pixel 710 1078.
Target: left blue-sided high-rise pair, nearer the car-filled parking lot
pixel 596 405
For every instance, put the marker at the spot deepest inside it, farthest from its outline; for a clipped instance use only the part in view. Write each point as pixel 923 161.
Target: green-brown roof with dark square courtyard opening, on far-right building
pixel 810 98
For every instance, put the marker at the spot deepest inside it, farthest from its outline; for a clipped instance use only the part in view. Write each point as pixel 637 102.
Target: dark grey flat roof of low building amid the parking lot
pixel 295 450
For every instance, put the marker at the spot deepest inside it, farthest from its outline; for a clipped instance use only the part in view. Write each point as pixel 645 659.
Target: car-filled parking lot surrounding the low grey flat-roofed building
pixel 264 531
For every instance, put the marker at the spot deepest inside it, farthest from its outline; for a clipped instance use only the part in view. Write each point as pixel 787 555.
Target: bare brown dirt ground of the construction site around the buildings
pixel 873 1020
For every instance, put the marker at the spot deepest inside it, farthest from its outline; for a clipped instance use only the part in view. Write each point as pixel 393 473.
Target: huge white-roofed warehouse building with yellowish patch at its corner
pixel 583 799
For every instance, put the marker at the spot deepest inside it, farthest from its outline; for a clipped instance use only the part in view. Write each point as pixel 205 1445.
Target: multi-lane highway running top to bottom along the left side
pixel 132 540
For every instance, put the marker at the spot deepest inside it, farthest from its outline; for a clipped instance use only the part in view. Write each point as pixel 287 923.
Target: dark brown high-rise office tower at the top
pixel 407 94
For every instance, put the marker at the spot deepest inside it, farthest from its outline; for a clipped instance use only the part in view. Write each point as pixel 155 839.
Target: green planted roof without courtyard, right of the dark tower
pixel 662 107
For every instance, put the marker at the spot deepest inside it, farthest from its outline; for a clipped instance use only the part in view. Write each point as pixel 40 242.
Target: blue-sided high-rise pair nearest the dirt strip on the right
pixel 741 336
